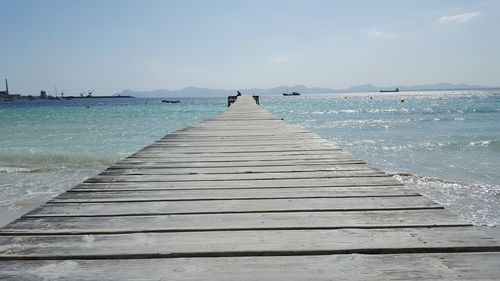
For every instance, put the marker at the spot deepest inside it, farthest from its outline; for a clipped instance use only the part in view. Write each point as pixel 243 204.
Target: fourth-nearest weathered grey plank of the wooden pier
pixel 234 206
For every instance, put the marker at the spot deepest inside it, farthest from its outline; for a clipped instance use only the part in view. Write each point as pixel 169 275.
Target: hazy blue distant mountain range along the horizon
pixel 196 92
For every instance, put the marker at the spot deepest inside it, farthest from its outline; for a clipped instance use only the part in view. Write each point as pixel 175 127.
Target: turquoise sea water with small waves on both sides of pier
pixel 445 144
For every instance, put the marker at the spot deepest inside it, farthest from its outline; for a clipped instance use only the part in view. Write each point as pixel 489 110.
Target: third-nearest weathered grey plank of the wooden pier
pixel 218 222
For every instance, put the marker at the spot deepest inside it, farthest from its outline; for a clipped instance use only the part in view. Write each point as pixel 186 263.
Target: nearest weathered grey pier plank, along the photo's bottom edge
pixel 443 266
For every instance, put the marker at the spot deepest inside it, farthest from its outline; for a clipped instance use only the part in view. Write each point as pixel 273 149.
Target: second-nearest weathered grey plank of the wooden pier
pixel 248 243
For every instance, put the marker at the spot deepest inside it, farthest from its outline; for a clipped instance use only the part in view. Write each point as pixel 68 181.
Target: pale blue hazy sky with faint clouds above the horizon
pixel 108 46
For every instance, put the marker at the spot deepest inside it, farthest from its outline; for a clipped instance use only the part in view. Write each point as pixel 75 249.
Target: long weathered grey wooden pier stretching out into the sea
pixel 244 196
